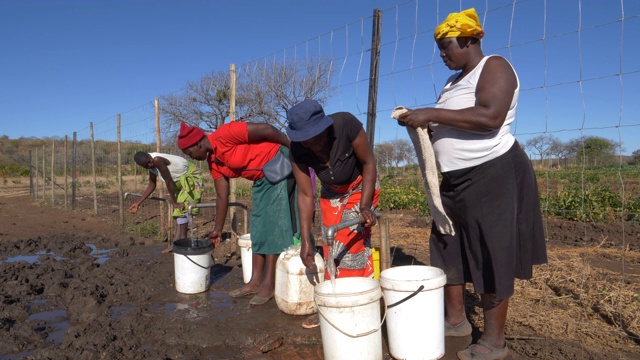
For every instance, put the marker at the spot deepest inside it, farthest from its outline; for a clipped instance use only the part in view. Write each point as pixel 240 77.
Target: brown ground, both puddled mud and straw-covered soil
pixel 88 290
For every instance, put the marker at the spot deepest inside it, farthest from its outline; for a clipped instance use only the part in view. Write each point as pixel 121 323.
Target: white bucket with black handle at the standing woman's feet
pixel 415 311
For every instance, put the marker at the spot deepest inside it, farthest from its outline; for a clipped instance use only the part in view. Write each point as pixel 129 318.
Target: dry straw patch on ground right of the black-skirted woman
pixel 571 299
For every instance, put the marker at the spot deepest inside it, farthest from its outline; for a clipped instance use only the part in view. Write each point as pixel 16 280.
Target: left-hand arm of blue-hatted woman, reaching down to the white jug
pixel 305 212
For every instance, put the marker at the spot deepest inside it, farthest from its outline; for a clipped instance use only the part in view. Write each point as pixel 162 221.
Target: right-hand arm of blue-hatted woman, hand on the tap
pixel 364 154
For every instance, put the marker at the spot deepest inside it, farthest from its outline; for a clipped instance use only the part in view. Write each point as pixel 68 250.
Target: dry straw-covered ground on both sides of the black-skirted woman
pixel 579 296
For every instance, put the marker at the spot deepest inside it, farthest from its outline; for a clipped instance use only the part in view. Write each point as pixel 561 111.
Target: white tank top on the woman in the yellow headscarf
pixel 458 149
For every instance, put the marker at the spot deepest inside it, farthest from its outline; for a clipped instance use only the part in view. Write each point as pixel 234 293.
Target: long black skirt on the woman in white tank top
pixel 495 209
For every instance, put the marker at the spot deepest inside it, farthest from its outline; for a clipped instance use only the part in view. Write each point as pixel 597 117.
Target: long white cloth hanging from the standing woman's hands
pixel 427 161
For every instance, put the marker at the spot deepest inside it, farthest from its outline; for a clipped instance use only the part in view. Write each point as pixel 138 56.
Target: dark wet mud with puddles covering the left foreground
pixel 74 287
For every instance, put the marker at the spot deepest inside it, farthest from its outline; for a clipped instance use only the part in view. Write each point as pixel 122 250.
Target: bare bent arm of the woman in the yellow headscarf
pixel 494 94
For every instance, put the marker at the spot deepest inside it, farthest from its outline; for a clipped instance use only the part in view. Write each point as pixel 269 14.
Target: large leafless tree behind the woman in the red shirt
pixel 264 93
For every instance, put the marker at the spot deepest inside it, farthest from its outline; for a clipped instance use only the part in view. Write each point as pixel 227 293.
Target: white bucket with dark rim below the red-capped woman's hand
pixel 192 264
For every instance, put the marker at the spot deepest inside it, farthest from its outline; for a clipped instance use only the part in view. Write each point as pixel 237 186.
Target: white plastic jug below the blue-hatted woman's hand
pixel 295 283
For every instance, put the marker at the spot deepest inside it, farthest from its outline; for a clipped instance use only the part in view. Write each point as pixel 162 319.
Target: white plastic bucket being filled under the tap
pixel 350 318
